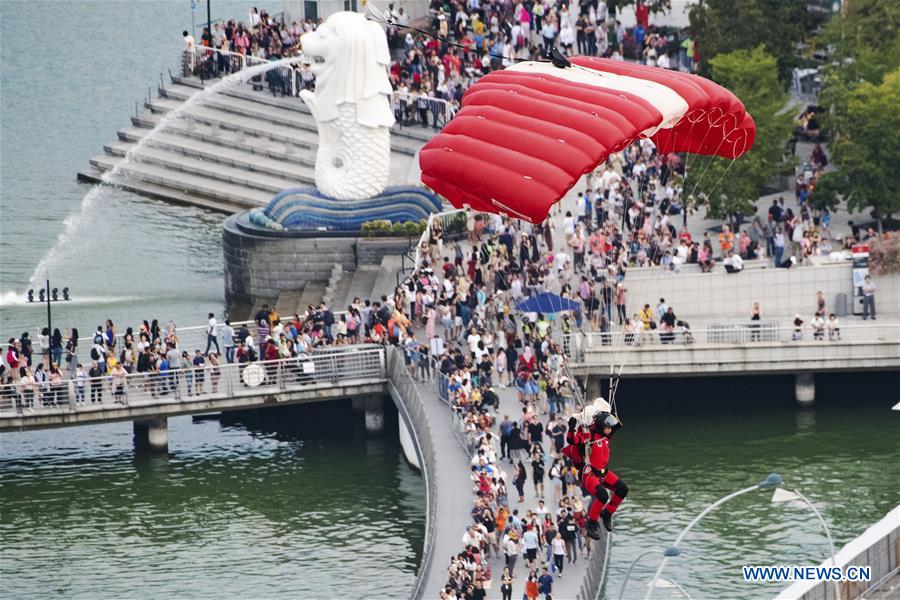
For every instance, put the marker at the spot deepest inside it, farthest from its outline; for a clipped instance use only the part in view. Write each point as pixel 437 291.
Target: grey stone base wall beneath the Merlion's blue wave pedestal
pixel 258 267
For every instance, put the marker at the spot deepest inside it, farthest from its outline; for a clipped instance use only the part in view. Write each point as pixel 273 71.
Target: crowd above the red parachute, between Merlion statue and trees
pixel 465 40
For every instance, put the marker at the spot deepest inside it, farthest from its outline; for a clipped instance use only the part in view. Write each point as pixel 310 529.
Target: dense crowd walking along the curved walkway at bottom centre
pixel 550 534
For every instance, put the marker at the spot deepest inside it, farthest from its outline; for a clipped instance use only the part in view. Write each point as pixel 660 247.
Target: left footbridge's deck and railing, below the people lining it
pixel 354 372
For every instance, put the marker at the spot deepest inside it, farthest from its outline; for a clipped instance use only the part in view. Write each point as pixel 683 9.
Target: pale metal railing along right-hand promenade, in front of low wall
pixel 738 334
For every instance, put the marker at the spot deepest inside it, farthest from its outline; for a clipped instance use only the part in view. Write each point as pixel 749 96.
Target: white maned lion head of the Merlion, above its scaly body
pixel 349 56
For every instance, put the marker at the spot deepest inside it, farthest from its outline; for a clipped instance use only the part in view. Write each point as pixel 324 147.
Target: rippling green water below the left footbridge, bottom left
pixel 293 503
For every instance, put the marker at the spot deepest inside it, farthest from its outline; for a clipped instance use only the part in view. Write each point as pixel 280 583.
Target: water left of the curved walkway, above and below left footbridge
pixel 290 505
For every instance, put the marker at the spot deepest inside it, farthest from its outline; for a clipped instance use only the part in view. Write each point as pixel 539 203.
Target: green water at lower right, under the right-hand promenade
pixel 688 442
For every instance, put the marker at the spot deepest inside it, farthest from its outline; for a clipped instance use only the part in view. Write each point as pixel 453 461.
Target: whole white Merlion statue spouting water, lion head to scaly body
pixel 351 105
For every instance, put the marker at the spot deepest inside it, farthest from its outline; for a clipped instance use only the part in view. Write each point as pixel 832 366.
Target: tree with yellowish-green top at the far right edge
pixel 866 154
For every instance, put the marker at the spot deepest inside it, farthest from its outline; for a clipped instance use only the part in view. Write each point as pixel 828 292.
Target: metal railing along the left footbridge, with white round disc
pixel 331 367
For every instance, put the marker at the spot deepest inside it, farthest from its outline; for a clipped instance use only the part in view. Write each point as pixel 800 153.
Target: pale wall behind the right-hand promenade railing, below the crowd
pixel 780 292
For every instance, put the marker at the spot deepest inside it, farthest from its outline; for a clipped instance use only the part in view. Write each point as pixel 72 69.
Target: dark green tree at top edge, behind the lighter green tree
pixel 722 26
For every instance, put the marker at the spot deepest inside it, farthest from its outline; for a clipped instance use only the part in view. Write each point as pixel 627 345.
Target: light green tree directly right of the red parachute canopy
pixel 734 186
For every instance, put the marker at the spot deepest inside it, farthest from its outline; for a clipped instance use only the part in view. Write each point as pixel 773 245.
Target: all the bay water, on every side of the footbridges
pixel 290 504
